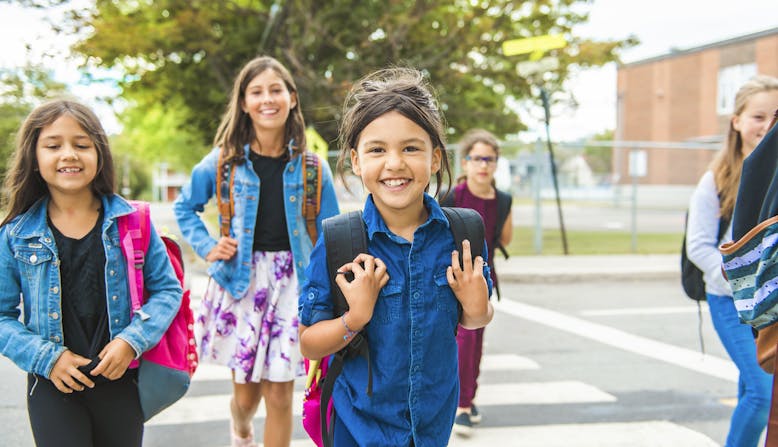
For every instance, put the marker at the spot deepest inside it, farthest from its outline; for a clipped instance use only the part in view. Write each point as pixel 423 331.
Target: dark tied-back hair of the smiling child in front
pixel 402 90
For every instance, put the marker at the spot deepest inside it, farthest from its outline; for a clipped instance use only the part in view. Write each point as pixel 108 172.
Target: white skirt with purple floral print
pixel 256 336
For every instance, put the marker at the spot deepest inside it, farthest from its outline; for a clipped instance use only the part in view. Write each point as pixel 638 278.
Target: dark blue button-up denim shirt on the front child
pixel 413 348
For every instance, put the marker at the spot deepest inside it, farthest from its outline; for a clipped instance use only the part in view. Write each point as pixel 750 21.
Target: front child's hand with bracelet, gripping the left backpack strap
pixel 362 292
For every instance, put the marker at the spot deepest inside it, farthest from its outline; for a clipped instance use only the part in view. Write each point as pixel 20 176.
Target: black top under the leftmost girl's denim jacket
pixel 82 278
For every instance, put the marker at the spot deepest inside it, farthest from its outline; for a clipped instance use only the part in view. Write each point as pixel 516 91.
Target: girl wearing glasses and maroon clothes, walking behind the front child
pixel 476 189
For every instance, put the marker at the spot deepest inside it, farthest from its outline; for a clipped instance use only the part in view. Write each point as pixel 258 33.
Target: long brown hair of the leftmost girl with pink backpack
pixel 23 182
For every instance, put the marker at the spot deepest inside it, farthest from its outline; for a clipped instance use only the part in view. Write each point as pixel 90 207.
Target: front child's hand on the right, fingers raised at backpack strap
pixel 469 286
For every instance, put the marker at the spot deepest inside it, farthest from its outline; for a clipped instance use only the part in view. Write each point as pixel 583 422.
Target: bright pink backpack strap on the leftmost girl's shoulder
pixel 134 238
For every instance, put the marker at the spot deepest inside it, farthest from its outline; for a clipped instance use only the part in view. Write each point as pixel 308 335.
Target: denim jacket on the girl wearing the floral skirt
pixel 233 274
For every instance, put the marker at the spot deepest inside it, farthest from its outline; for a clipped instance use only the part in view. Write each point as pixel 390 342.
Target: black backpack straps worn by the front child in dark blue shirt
pixel 345 237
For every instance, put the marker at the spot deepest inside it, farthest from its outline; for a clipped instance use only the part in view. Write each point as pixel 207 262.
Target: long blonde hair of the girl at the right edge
pixel 728 163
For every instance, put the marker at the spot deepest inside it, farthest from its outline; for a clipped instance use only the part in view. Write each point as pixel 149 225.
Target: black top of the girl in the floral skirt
pixel 270 231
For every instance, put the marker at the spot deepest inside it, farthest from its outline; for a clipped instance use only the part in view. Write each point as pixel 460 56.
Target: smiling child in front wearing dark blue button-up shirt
pixel 406 289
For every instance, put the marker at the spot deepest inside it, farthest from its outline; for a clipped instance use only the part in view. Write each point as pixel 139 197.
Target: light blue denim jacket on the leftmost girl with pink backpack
pixel 29 269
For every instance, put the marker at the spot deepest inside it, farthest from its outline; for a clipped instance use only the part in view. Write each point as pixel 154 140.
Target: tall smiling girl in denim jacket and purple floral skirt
pixel 247 320
